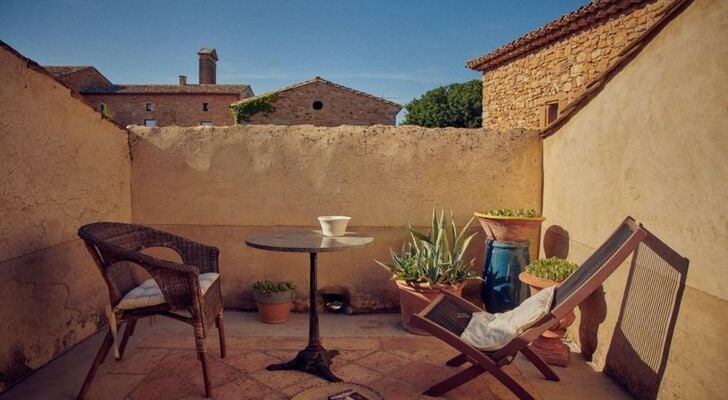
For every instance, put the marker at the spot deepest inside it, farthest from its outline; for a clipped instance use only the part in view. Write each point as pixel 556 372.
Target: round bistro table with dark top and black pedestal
pixel 314 359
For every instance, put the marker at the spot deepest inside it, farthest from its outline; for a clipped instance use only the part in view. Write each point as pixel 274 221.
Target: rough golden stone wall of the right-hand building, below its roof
pixel 514 94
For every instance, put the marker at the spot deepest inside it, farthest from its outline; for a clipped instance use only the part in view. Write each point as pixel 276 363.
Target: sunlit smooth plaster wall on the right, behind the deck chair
pixel 653 145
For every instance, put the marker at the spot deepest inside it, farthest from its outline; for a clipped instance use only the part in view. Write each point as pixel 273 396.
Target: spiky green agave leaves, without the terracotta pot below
pixel 436 257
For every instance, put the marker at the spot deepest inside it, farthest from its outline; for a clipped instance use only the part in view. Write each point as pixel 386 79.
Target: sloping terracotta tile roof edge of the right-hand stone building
pixel 587 15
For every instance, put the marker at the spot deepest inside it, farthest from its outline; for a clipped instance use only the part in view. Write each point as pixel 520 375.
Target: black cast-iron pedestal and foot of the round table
pixel 314 359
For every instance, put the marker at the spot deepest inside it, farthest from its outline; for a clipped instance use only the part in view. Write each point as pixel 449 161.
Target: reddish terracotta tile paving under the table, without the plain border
pixel 166 367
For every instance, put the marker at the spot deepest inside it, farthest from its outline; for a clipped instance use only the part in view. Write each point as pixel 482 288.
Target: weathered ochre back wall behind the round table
pixel 218 185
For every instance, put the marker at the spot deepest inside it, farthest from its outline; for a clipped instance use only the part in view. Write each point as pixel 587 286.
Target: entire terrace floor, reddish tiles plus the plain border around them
pixel 160 363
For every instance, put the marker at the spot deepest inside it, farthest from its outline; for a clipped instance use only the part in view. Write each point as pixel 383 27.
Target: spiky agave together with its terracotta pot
pixel 429 263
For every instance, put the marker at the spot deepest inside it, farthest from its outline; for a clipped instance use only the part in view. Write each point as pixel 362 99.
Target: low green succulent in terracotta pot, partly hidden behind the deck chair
pixel 541 274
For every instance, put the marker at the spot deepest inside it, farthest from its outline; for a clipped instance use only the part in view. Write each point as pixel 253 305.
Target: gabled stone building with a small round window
pixel 322 103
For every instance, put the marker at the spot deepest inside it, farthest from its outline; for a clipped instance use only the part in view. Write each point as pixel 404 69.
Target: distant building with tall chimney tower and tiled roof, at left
pixel 158 105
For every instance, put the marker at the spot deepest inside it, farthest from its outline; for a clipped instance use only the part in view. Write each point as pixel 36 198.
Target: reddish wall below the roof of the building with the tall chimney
pixel 168 109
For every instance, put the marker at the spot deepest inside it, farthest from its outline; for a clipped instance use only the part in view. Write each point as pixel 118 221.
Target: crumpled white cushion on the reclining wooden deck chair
pixel 490 332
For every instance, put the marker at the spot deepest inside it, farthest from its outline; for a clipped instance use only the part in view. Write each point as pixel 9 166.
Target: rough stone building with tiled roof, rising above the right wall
pixel 528 82
